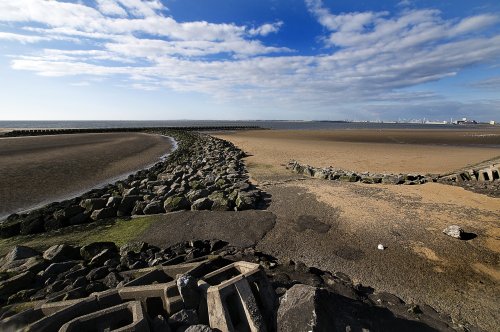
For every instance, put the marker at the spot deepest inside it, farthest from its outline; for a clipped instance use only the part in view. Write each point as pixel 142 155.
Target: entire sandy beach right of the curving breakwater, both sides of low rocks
pixel 337 226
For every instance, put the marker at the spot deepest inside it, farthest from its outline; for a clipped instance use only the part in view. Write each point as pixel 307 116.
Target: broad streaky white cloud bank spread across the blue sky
pixel 367 61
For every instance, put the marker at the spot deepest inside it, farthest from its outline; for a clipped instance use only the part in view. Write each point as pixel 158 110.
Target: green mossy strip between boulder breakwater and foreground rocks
pixel 119 231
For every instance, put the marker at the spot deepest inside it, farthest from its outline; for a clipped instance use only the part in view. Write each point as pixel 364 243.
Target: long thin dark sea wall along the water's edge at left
pixel 39 132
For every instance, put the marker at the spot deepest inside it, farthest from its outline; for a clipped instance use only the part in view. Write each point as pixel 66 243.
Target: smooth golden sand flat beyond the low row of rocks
pixel 397 151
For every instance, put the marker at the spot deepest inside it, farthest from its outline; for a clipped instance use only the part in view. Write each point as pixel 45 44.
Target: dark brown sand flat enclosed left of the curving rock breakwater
pixel 38 170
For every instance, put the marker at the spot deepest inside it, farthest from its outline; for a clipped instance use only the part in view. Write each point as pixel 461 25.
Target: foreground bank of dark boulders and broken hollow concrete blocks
pixel 202 285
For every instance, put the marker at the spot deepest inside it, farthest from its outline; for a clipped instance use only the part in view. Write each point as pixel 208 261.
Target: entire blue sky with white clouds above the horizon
pixel 249 59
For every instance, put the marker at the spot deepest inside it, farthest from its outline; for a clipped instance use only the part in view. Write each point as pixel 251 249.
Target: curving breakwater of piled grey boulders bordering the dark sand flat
pixel 203 173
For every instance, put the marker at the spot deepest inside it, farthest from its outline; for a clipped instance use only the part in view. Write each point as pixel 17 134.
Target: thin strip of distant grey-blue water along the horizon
pixel 264 124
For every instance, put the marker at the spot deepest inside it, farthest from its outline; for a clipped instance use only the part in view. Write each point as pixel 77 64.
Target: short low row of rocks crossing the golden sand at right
pixel 331 173
